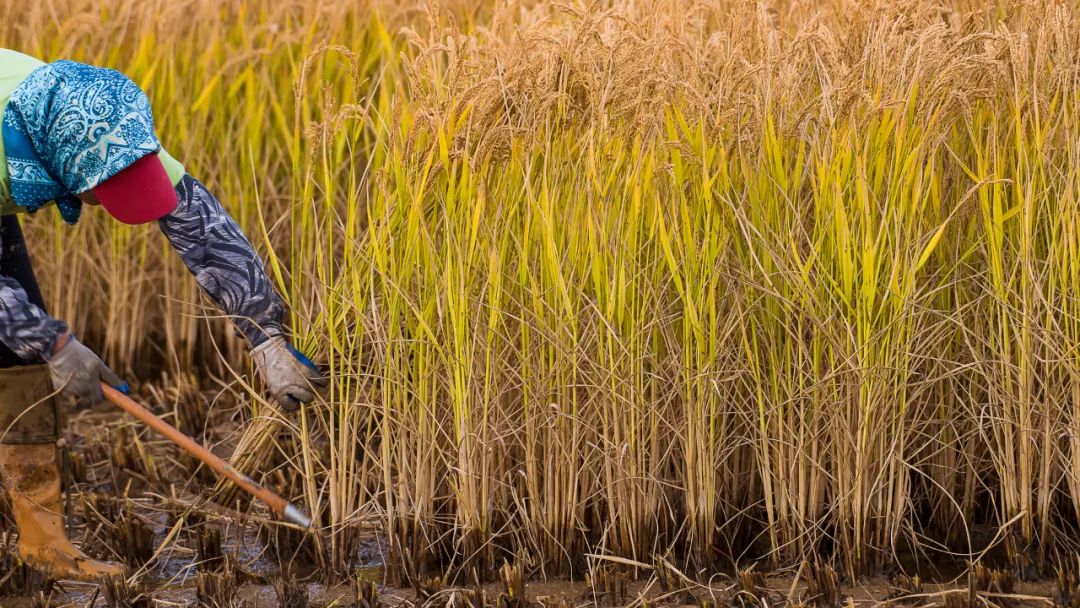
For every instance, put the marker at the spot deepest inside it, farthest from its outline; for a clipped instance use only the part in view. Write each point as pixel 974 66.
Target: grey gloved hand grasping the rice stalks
pixel 291 376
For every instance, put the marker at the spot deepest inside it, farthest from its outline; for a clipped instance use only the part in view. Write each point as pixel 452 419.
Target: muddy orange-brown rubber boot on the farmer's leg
pixel 33 479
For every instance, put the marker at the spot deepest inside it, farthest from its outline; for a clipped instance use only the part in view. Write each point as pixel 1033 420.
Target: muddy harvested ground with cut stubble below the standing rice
pixel 139 499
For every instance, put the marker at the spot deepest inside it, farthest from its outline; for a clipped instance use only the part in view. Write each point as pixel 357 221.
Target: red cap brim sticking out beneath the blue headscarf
pixel 140 194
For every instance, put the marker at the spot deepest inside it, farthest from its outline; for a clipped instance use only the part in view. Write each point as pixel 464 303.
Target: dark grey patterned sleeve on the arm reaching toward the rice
pixel 215 250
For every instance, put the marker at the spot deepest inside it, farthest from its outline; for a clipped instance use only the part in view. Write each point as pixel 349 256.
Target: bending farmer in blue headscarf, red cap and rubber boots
pixel 77 136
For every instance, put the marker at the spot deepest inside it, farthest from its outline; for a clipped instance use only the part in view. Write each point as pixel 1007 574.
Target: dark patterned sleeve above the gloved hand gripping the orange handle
pixel 24 328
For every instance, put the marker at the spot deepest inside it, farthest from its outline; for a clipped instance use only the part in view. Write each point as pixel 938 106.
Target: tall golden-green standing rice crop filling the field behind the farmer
pixel 715 281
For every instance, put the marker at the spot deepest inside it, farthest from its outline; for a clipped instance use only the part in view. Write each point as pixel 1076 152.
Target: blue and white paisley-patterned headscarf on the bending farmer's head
pixel 71 127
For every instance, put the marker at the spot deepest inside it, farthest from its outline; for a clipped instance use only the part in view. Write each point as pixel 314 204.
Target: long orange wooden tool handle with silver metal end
pixel 276 503
